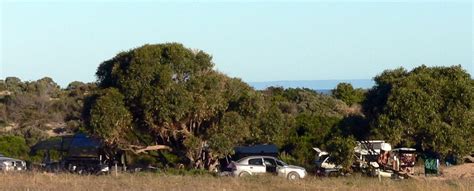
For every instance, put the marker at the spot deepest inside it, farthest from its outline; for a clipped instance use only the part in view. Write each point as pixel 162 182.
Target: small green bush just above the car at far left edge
pixel 14 146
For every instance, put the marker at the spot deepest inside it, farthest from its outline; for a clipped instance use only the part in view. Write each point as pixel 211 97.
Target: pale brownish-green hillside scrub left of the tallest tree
pixel 38 109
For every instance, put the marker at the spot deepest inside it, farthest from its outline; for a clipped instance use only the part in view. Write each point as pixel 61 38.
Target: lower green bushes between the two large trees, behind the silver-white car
pixel 304 119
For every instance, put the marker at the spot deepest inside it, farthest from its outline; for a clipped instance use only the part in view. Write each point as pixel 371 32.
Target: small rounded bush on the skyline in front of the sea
pixel 347 93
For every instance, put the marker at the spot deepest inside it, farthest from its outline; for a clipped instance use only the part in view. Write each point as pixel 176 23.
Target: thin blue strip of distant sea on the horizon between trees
pixel 322 86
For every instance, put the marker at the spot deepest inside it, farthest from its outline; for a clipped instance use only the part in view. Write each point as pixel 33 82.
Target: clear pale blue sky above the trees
pixel 252 40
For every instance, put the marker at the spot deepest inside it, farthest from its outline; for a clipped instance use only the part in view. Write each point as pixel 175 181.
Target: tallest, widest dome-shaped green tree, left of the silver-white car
pixel 176 99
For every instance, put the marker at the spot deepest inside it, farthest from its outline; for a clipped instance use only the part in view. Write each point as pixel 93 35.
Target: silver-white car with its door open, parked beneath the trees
pixel 254 165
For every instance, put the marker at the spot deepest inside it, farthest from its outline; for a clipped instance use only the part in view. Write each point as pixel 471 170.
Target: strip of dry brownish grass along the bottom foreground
pixel 150 181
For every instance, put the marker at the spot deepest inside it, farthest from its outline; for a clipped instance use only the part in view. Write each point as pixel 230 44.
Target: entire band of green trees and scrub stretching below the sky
pixel 169 94
